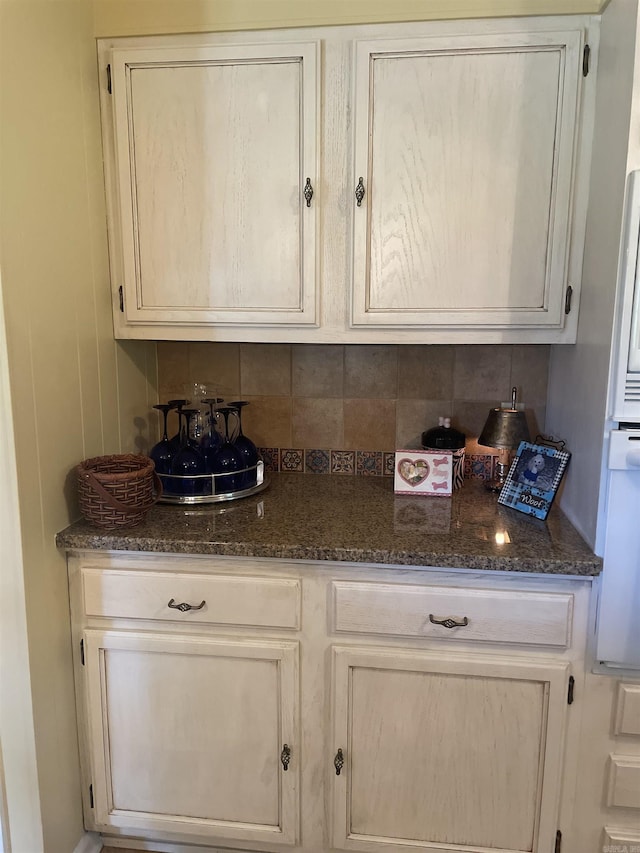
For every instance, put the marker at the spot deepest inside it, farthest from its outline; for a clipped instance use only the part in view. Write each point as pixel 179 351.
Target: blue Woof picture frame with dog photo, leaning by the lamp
pixel 533 479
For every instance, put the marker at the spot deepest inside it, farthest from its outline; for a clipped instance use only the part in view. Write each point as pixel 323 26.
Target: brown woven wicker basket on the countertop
pixel 117 491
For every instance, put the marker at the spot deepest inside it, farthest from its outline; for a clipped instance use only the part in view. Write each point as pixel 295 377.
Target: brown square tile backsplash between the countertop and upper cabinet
pixel 311 403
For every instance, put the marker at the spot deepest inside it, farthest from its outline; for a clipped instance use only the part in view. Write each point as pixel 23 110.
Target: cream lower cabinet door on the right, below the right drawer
pixel 443 752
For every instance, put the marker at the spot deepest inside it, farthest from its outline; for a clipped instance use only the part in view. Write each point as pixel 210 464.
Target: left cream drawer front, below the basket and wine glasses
pixel 228 600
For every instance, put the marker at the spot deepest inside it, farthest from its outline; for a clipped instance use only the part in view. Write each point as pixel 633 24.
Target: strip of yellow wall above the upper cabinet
pixel 132 17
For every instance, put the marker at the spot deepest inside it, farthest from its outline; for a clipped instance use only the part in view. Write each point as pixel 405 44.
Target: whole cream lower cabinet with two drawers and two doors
pixel 271 706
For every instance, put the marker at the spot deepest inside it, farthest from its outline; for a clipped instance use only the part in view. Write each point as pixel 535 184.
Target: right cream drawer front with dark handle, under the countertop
pixel 499 616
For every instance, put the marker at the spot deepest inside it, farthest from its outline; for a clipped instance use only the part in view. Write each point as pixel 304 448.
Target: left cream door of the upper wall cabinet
pixel 215 183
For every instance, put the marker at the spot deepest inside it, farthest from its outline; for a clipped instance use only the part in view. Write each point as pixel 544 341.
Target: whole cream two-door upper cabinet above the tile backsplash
pixel 437 195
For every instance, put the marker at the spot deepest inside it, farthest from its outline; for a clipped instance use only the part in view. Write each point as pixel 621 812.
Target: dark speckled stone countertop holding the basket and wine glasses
pixel 357 520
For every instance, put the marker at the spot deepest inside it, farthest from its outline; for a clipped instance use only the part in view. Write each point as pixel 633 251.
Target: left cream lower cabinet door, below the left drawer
pixel 193 735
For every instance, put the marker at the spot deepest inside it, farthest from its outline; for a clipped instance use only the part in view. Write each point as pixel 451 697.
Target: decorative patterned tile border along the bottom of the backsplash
pixel 366 463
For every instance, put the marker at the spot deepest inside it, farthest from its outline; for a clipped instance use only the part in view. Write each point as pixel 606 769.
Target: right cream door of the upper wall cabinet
pixel 465 146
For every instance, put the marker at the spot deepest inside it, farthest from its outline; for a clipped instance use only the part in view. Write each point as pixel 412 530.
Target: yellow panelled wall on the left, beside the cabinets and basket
pixel 75 392
